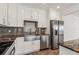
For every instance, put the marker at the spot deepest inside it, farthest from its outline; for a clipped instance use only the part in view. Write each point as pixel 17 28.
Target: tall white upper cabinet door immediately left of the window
pixel 20 16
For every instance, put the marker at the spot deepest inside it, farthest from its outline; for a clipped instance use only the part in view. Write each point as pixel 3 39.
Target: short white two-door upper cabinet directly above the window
pixel 31 14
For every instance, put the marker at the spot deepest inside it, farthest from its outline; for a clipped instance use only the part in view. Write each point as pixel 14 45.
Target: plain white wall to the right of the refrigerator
pixel 71 27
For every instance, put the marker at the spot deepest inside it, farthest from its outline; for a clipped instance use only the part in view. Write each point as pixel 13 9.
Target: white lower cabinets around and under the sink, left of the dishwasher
pixel 26 47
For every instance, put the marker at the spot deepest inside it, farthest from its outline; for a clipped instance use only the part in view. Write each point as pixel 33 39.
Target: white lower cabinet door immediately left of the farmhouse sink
pixel 19 45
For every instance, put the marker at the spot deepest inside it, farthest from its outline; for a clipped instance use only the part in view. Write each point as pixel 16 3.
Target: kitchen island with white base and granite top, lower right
pixel 69 47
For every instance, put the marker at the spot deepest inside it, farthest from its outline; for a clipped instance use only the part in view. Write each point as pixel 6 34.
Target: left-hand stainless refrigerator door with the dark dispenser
pixel 54 35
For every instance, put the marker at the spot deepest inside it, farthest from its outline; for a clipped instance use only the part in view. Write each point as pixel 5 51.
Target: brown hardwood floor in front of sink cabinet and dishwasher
pixel 47 52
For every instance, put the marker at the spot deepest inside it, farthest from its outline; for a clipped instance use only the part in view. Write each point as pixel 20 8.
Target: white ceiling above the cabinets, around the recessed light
pixel 63 6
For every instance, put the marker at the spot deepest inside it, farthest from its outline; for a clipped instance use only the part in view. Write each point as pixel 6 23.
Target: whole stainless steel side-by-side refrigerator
pixel 56 33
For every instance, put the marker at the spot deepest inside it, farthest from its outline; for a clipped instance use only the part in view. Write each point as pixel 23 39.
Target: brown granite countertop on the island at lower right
pixel 72 45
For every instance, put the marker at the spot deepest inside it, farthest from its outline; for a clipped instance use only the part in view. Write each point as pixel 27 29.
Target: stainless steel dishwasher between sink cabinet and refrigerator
pixel 44 42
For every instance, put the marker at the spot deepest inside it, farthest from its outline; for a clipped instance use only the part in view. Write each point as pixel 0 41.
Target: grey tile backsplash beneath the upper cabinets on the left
pixel 9 30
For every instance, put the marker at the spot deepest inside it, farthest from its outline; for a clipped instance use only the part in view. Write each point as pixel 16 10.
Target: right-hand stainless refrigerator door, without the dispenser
pixel 61 32
